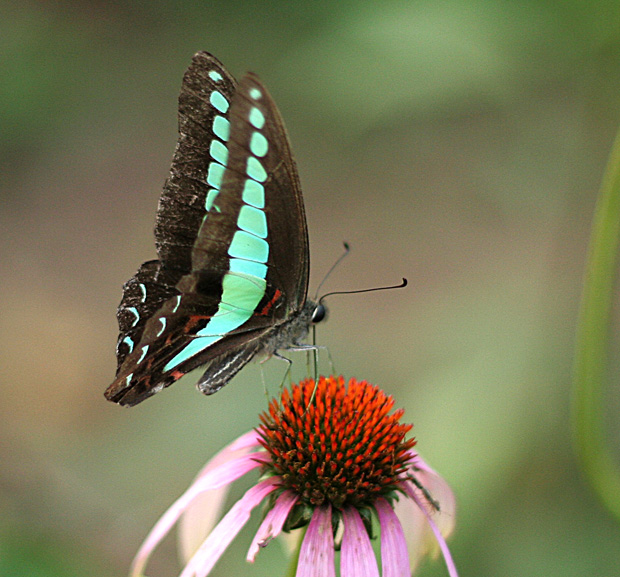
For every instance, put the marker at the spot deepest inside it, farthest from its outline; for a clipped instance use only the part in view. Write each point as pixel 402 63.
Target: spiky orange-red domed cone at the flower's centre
pixel 341 447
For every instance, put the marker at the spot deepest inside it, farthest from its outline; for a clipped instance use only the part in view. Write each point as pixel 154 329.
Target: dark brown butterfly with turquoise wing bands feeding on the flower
pixel 231 278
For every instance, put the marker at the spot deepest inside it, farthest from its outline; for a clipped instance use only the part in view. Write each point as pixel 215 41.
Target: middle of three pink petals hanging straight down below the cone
pixel 357 559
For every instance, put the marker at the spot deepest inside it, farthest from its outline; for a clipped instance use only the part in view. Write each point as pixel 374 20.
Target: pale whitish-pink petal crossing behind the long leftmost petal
pixel 202 513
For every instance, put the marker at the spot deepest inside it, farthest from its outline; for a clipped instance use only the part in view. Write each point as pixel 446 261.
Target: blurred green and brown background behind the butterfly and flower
pixel 458 143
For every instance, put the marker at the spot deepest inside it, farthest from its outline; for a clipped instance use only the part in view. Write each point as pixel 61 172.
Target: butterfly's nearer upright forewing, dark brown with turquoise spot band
pixel 259 213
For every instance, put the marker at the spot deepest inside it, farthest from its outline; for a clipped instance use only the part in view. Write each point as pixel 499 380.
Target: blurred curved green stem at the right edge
pixel 592 346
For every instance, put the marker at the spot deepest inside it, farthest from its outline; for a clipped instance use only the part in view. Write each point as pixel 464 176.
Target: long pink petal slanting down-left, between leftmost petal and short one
pixel 226 530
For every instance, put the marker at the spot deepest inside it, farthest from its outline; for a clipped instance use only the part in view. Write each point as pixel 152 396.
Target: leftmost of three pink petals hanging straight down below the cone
pixel 316 558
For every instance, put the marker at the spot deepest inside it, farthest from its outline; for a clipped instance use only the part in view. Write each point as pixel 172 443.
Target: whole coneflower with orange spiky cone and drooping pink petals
pixel 334 459
